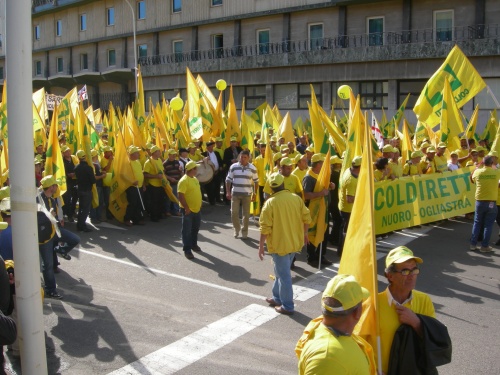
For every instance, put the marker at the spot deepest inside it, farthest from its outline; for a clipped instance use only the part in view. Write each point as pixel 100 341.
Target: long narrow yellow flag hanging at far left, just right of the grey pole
pixel 54 164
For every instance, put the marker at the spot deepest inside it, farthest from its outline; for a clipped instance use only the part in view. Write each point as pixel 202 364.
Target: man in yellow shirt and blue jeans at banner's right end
pixel 487 184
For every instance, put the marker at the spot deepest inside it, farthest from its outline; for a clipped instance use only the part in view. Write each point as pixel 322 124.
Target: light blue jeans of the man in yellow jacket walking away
pixel 282 287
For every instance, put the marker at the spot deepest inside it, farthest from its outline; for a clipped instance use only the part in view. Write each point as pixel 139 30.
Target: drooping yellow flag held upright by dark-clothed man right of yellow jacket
pixel 318 206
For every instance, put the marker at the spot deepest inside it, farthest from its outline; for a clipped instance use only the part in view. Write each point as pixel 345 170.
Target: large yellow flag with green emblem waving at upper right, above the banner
pixel 465 83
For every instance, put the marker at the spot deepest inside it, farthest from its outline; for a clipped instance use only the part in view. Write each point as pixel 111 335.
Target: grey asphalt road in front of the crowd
pixel 132 299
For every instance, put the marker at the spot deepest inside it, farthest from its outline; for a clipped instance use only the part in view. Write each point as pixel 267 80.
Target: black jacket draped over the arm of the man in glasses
pixel 411 354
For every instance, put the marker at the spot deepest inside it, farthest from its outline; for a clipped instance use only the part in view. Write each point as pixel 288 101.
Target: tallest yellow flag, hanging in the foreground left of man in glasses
pixel 359 254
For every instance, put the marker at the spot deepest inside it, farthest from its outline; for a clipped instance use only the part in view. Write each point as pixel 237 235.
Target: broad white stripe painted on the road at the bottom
pixel 199 344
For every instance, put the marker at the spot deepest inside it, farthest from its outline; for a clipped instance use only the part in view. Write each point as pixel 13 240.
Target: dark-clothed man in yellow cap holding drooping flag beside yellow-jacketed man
pixel 309 183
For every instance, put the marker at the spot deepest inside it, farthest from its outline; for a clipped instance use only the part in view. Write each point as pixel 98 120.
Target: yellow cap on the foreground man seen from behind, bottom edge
pixel 346 290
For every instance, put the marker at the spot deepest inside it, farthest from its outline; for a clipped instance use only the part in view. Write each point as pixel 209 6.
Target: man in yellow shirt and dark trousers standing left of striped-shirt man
pixel 189 193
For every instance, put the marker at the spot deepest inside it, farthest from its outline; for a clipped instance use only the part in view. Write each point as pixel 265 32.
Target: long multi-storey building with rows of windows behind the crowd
pixel 267 49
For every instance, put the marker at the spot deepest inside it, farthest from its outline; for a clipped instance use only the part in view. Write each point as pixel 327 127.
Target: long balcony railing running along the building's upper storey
pixel 423 36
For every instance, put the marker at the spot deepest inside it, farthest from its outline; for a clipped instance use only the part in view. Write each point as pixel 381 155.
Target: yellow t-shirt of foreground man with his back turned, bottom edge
pixel 324 353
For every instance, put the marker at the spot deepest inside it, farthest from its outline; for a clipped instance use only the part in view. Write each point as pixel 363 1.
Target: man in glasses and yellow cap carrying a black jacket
pixel 400 302
